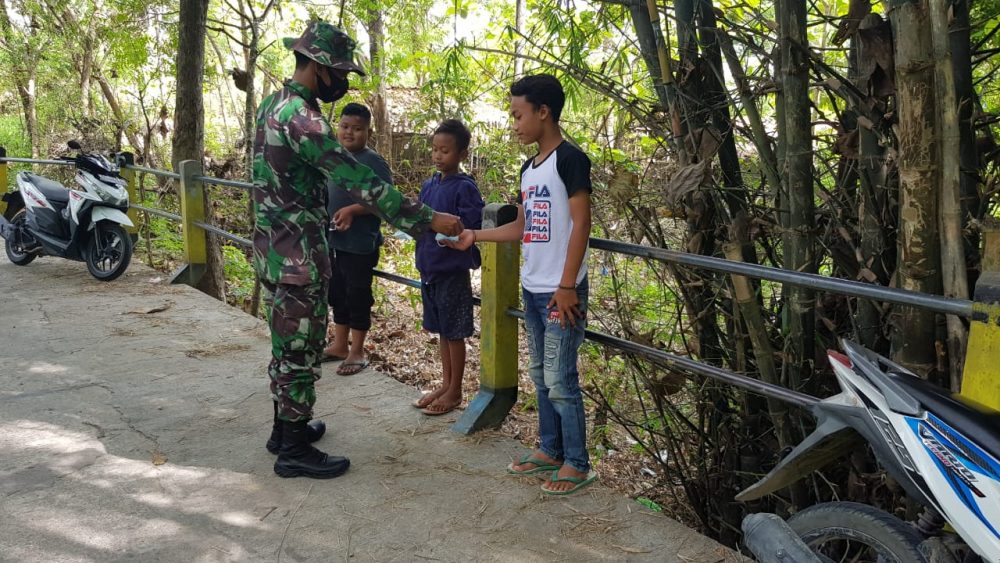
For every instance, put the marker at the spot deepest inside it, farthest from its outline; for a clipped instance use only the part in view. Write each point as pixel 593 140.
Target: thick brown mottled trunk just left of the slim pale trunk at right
pixel 918 245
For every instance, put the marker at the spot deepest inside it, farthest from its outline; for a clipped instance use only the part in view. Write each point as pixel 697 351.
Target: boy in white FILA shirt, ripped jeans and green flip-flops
pixel 553 223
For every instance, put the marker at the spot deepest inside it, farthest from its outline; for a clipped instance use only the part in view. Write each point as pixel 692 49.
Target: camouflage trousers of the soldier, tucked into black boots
pixel 297 317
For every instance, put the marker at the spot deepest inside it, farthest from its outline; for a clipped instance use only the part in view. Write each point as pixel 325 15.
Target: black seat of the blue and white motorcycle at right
pixel 979 425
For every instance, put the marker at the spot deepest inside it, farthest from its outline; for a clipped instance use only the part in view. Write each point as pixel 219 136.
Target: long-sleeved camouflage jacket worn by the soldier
pixel 295 154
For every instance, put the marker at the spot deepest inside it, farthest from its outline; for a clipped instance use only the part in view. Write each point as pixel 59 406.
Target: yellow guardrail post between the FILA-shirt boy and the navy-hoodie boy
pixel 498 330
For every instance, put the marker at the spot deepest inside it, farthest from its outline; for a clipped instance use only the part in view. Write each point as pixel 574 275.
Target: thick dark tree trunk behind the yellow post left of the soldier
pixel 189 120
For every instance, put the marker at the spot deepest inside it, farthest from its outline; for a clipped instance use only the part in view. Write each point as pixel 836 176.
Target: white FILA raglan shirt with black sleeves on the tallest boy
pixel 545 192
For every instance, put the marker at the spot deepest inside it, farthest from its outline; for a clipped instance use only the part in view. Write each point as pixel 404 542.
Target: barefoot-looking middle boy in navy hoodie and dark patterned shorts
pixel 446 289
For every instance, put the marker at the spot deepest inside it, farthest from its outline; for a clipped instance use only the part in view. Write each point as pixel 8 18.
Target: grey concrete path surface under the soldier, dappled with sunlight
pixel 132 422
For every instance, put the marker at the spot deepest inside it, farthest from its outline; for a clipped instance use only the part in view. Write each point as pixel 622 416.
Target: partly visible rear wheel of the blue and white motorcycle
pixel 849 531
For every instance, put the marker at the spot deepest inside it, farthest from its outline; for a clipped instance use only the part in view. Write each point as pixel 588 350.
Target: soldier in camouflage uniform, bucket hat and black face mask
pixel 296 154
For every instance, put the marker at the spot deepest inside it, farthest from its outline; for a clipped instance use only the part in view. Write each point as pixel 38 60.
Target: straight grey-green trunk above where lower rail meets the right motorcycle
pixel 799 225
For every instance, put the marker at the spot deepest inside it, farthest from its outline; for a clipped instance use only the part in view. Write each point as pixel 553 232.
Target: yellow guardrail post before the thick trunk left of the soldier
pixel 192 196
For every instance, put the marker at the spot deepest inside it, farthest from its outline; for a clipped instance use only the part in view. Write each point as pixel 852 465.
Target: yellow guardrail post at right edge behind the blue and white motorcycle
pixel 981 375
